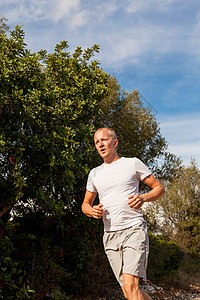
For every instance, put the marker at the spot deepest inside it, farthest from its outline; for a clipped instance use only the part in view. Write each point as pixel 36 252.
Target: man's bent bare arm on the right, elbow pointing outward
pixel 156 192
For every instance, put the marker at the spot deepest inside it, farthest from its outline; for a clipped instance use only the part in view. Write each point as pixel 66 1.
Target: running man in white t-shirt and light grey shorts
pixel 125 235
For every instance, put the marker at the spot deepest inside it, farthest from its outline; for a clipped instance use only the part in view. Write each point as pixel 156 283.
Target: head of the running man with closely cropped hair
pixel 105 144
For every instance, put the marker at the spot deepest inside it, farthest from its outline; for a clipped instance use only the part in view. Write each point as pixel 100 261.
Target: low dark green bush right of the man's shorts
pixel 169 265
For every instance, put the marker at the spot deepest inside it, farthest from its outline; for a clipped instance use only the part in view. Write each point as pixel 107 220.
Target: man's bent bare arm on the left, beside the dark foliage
pixel 95 211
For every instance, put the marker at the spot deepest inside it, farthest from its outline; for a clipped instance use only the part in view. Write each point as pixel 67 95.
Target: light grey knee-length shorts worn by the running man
pixel 127 251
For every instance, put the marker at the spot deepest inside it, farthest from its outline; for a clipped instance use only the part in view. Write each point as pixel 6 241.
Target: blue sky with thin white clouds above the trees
pixel 149 45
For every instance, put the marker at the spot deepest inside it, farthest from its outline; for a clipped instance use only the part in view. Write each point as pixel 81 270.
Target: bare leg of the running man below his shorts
pixel 131 288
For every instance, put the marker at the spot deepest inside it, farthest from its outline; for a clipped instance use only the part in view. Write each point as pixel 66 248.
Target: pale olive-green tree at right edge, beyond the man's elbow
pixel 177 213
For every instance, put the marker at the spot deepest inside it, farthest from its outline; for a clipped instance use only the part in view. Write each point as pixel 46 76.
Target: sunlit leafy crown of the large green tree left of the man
pixel 47 108
